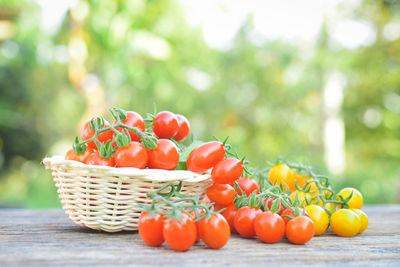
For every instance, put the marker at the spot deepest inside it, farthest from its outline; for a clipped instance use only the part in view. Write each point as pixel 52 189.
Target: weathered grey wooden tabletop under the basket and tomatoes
pixel 48 237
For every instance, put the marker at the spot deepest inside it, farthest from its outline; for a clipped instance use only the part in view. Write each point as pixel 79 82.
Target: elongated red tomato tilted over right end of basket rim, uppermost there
pixel 205 156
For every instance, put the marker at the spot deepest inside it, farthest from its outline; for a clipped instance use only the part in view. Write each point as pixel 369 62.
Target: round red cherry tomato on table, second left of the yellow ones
pixel 269 227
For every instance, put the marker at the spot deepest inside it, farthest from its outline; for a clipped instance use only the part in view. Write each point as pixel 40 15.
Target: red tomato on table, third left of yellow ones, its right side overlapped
pixel 244 221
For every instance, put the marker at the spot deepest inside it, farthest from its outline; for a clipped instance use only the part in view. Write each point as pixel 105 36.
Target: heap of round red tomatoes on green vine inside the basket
pixel 127 142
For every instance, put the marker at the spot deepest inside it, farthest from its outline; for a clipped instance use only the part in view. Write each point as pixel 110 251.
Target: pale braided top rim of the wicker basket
pixel 158 175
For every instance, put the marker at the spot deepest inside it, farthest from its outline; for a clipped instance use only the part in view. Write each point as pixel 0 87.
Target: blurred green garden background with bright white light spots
pixel 315 81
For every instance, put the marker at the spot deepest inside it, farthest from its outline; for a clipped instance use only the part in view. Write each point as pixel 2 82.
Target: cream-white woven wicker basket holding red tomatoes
pixel 107 198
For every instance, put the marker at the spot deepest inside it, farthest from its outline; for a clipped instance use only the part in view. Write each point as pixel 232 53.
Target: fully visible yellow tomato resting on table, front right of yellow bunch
pixel 345 223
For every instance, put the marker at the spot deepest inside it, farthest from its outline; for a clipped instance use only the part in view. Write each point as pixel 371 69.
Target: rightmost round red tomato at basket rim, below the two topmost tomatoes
pixel 165 156
